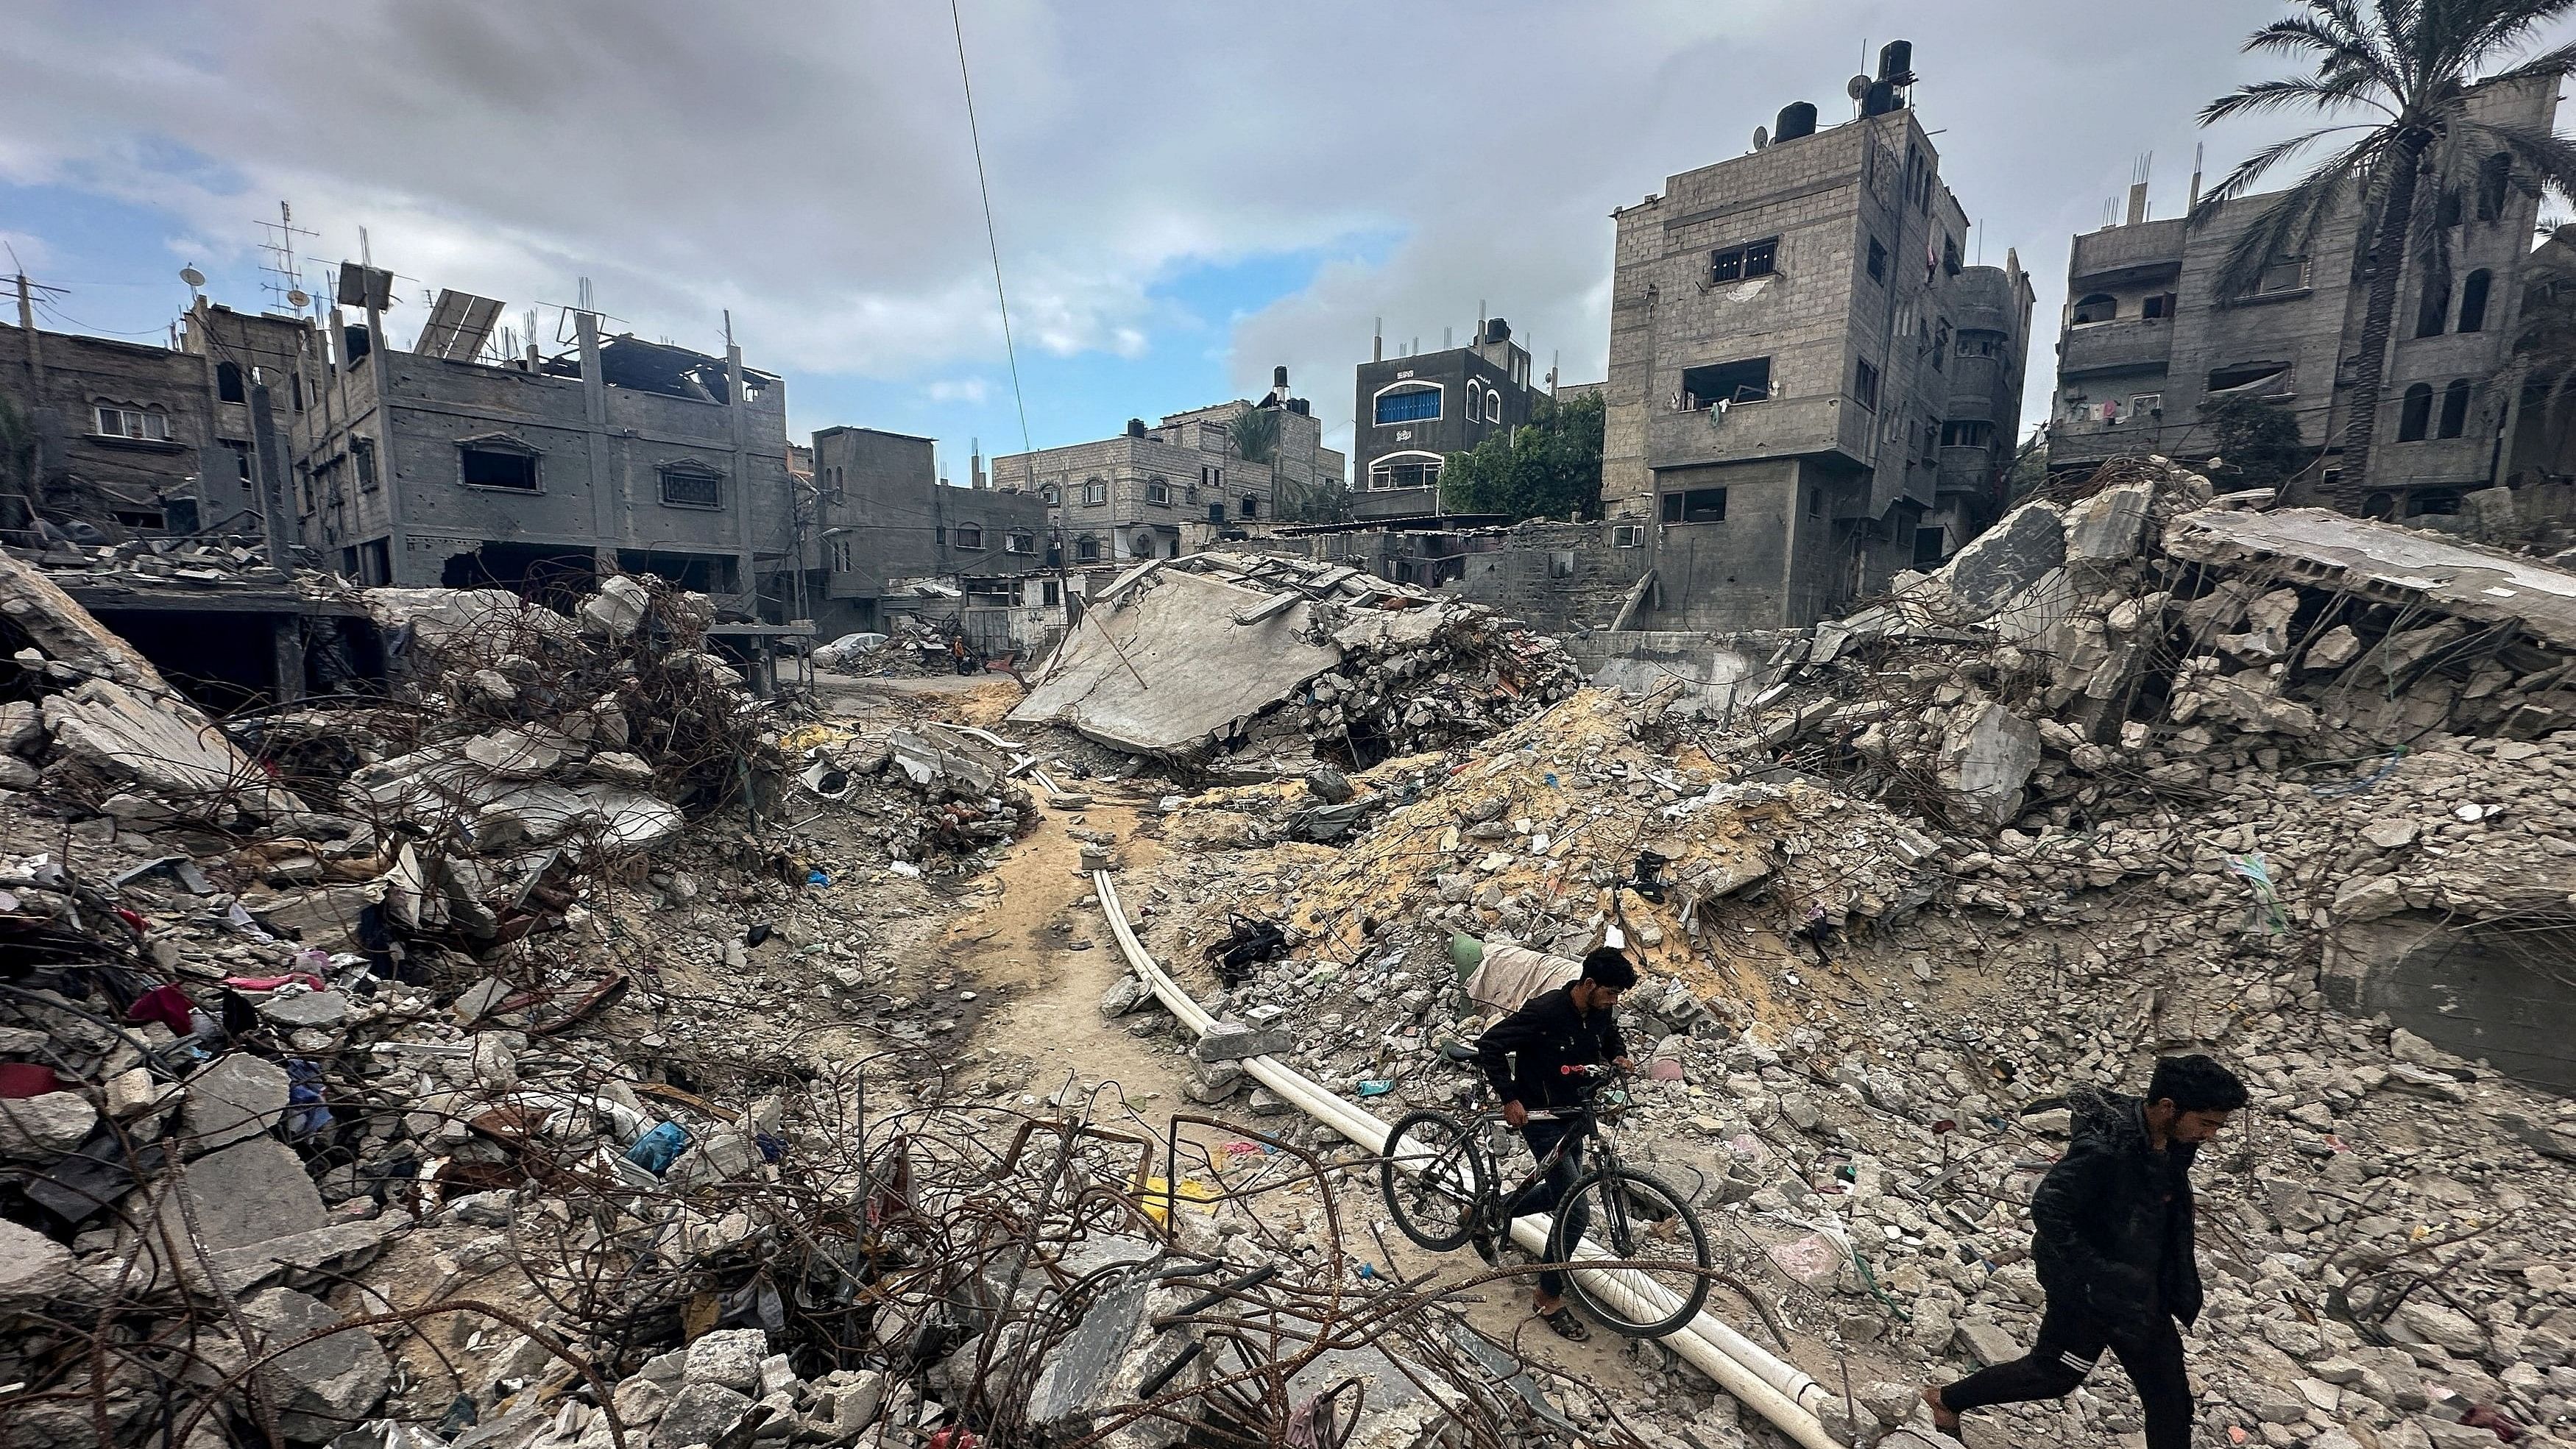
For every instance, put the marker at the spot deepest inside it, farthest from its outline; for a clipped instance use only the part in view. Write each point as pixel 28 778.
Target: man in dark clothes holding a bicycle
pixel 1524 1059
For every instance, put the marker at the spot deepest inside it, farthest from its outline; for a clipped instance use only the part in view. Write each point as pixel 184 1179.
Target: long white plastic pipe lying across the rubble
pixel 1774 1389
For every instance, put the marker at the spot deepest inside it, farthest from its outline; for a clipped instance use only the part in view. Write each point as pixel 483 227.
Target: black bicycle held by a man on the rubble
pixel 1439 1180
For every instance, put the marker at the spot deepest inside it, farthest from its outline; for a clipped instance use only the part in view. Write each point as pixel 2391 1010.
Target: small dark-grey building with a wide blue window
pixel 1413 413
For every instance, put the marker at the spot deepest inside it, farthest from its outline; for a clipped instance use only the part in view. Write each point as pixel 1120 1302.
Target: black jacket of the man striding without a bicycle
pixel 2116 1219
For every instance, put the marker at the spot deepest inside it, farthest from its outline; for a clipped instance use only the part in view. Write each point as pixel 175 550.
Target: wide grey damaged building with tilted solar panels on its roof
pixel 452 465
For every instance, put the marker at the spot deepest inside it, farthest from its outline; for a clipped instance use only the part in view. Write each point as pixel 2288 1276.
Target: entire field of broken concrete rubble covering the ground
pixel 555 1044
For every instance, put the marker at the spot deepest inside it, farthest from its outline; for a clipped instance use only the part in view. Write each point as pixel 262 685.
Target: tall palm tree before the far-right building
pixel 2402 71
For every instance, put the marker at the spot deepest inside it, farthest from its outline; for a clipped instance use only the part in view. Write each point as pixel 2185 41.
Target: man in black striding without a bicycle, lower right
pixel 2114 1244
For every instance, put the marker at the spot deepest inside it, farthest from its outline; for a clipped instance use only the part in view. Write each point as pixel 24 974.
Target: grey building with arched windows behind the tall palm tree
pixel 2150 338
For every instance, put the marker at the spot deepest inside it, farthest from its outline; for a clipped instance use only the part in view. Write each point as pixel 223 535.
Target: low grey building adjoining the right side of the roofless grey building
pixel 885 521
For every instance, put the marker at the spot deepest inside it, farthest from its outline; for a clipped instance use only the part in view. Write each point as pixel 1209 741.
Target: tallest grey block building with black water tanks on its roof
pixel 1810 390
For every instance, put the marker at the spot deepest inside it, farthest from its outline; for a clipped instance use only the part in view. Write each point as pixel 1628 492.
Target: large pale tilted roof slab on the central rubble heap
pixel 1168 668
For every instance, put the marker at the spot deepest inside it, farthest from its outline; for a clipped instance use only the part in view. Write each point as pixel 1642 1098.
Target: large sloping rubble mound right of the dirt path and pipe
pixel 2114 784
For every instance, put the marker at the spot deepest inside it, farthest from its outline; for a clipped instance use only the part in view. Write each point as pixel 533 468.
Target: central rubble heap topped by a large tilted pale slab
pixel 1284 663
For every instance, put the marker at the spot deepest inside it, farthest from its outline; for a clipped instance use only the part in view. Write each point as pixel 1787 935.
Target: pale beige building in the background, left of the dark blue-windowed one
pixel 1148 493
